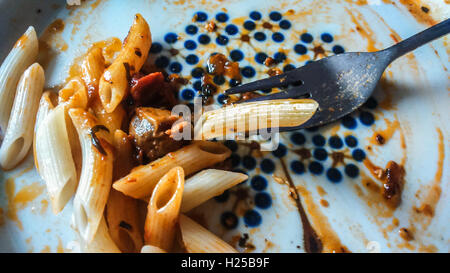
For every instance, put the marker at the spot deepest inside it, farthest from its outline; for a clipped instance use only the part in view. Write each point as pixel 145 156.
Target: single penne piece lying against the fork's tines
pixel 251 116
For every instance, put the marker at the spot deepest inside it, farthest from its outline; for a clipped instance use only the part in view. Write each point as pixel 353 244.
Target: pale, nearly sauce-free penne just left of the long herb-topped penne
pixel 54 158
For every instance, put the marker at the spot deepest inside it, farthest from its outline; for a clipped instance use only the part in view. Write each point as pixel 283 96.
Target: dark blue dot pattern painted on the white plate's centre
pixel 337 158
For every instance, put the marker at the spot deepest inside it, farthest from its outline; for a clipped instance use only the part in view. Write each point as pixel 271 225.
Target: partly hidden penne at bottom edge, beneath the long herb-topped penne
pixel 102 242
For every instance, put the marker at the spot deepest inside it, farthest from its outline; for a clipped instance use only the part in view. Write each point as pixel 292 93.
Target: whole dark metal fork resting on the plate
pixel 340 83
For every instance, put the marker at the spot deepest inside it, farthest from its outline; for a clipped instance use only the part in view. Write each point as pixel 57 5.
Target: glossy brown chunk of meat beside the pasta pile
pixel 148 128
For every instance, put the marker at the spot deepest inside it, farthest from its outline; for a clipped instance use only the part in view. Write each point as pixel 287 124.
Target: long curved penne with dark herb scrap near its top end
pixel 96 173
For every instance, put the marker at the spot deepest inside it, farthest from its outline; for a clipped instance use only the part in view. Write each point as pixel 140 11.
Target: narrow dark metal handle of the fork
pixel 419 39
